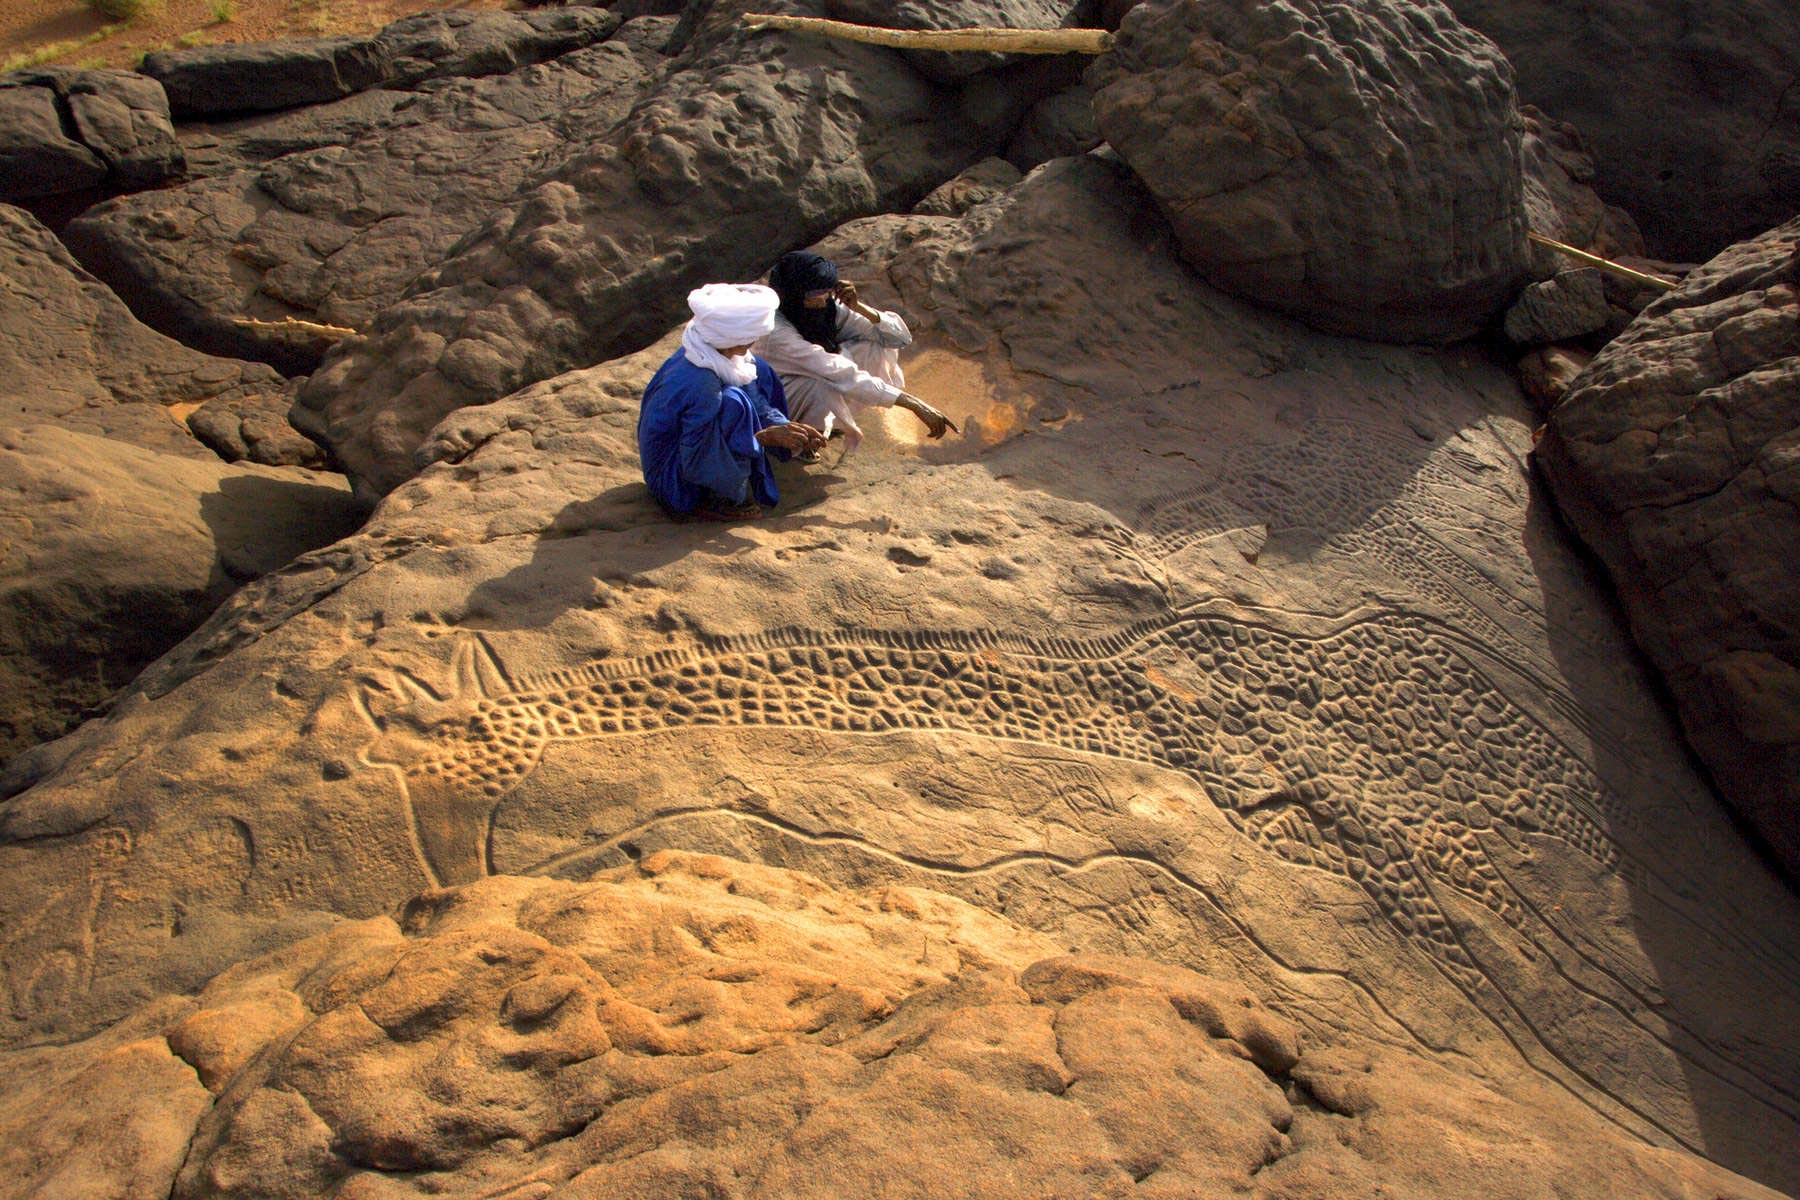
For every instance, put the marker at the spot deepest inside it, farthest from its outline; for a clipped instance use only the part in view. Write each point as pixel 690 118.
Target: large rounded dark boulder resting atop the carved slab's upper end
pixel 1351 165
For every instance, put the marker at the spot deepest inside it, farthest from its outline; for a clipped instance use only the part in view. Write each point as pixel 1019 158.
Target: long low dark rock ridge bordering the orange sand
pixel 260 76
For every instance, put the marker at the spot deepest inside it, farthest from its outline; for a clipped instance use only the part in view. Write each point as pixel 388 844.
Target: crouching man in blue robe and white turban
pixel 714 411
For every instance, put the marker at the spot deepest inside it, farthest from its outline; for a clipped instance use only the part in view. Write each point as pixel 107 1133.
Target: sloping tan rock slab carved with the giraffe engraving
pixel 1212 640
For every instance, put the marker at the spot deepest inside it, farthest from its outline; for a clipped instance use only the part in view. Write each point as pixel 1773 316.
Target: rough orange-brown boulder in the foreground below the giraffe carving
pixel 694 1025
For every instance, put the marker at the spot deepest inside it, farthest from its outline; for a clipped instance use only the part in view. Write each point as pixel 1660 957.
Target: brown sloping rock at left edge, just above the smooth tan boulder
pixel 73 355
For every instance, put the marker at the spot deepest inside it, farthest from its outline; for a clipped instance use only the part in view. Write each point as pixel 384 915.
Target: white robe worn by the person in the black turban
pixel 865 372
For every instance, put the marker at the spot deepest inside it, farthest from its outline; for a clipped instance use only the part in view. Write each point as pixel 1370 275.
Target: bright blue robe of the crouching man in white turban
pixel 697 438
